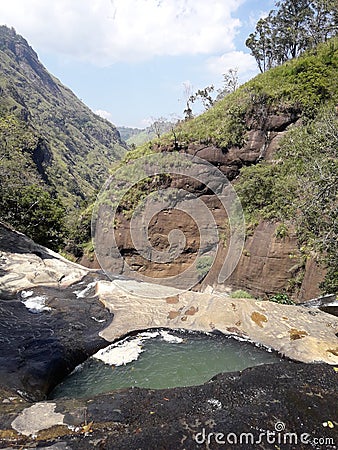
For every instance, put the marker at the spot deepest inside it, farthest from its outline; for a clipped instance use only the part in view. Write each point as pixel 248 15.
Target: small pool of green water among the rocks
pixel 162 364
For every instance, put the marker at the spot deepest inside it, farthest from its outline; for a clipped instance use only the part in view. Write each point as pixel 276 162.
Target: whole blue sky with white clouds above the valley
pixel 133 61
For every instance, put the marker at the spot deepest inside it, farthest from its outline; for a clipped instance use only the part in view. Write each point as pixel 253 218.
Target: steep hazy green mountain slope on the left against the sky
pixel 79 146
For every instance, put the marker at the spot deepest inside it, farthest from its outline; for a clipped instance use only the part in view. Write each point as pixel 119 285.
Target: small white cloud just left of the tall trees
pixel 245 63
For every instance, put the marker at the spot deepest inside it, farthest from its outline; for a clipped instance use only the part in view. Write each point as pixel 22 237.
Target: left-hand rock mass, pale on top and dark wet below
pixel 50 318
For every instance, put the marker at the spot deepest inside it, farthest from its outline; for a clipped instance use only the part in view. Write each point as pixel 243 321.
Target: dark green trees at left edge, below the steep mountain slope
pixel 25 202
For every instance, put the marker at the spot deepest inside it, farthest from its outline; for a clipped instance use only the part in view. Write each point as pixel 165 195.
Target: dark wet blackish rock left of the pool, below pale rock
pixel 39 348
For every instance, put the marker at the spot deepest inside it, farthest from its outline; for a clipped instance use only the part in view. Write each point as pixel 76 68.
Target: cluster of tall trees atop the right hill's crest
pixel 293 27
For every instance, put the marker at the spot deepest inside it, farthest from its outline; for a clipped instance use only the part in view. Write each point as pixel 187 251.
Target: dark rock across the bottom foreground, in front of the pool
pixel 289 405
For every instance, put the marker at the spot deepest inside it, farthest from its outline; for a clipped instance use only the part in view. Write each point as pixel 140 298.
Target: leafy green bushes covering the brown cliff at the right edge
pixel 302 186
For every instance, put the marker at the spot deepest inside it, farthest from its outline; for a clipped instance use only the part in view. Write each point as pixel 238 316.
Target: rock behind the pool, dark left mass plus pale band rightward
pixel 56 313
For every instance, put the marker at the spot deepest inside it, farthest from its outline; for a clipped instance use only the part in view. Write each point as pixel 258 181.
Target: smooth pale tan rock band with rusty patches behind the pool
pixel 297 332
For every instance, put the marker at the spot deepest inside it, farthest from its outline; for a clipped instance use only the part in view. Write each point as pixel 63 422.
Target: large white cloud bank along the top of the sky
pixel 106 31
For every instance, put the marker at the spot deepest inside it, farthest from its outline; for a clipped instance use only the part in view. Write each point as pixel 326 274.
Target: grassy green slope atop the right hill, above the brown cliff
pixel 300 86
